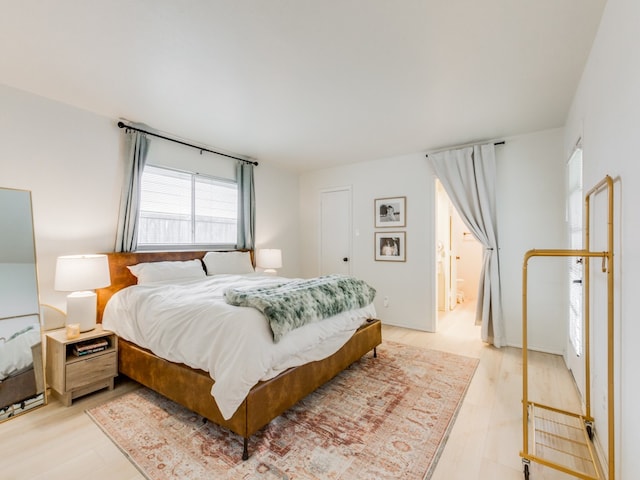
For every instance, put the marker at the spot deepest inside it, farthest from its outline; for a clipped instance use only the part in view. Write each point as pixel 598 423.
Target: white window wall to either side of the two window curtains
pixel 71 160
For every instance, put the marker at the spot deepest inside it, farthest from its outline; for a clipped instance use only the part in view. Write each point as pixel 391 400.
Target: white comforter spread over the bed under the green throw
pixel 190 323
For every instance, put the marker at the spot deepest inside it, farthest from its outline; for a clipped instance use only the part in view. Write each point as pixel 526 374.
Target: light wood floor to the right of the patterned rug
pixel 486 439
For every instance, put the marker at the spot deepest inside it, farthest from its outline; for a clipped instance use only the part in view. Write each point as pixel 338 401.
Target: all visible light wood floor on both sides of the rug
pixel 57 442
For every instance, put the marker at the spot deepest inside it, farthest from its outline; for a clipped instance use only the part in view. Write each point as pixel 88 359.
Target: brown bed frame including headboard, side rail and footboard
pixel 192 388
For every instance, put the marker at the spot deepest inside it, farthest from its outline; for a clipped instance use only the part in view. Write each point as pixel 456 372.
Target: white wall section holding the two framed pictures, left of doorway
pixel 408 285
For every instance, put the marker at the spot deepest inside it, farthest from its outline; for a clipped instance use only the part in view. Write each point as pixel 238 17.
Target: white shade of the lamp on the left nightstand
pixel 82 272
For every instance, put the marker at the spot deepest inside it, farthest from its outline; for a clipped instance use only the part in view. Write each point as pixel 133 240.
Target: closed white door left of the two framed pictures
pixel 335 231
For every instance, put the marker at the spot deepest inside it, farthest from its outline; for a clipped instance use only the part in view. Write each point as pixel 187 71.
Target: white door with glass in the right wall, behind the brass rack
pixel 575 202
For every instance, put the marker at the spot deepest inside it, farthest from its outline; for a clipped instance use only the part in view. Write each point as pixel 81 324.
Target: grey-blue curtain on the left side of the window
pixel 127 235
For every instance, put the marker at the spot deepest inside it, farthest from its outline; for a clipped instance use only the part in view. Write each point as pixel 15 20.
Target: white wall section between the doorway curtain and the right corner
pixel 531 212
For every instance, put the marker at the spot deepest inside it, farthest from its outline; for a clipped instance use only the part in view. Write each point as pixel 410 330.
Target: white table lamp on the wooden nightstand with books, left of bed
pixel 81 274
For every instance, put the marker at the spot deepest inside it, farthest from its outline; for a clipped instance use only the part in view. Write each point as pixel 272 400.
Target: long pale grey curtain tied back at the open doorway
pixel 468 176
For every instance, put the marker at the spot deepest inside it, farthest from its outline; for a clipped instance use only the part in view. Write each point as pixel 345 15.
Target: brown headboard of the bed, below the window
pixel 121 277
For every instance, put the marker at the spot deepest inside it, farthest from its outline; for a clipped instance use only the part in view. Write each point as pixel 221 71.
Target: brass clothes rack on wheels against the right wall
pixel 558 438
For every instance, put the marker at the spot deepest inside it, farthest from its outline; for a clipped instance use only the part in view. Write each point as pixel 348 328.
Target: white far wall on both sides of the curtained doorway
pixel 530 208
